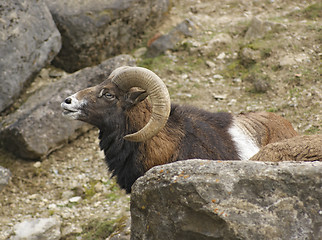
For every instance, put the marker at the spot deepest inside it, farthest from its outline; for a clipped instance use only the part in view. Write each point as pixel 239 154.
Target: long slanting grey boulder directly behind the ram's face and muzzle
pixel 38 126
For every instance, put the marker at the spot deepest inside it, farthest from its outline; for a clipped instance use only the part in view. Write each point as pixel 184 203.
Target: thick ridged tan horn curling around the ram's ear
pixel 128 77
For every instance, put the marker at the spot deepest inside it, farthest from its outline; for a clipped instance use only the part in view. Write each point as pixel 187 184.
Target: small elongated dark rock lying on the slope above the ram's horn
pixel 170 40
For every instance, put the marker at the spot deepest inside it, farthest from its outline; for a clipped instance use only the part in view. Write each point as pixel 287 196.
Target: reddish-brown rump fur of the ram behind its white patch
pixel 266 127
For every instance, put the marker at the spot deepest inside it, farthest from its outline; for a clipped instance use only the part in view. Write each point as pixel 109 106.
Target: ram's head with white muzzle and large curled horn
pixel 125 87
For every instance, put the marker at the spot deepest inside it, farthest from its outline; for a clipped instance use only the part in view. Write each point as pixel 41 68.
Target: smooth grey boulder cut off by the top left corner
pixel 29 40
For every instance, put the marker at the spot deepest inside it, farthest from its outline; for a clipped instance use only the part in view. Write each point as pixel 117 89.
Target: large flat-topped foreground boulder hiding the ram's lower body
pixel 203 199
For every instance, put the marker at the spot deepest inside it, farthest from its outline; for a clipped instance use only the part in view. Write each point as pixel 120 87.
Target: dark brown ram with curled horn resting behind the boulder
pixel 140 128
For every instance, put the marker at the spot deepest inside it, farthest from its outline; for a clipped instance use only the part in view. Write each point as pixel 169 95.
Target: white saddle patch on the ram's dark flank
pixel 245 144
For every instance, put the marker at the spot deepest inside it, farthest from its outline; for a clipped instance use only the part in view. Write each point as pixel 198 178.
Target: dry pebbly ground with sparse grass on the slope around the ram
pixel 232 63
